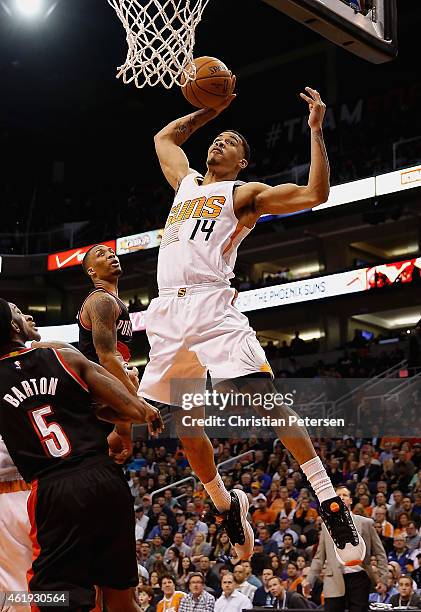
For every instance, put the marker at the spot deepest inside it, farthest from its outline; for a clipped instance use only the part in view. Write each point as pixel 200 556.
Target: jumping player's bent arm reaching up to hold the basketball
pixel 169 140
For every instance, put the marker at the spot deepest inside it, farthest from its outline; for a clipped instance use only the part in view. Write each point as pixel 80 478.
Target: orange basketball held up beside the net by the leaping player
pixel 213 83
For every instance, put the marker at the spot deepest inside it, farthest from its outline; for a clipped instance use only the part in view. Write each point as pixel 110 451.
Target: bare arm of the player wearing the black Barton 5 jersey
pixel 121 406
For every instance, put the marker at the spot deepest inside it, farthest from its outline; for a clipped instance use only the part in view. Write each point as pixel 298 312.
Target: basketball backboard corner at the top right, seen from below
pixel 367 28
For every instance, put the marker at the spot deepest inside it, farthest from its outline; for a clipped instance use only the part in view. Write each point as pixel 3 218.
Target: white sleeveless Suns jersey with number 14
pixel 201 237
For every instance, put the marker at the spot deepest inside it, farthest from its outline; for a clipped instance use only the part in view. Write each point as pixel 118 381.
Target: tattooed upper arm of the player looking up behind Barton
pixel 103 317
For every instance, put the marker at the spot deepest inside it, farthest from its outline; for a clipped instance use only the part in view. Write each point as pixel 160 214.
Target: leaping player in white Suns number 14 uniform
pixel 193 327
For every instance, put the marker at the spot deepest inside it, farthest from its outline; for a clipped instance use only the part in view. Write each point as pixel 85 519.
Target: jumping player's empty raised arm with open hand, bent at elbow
pixel 289 198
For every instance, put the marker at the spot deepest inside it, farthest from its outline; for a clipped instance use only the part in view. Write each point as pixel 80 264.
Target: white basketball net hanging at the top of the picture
pixel 160 38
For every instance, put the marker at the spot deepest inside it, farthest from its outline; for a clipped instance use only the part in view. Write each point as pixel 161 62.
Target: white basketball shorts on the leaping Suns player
pixel 192 330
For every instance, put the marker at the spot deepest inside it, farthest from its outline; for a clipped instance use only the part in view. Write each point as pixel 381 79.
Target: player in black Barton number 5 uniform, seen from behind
pixel 80 507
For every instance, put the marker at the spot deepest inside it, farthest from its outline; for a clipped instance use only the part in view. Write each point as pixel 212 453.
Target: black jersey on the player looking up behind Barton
pixel 124 331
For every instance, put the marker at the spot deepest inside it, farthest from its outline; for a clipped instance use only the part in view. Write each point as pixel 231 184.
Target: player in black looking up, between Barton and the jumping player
pixel 105 332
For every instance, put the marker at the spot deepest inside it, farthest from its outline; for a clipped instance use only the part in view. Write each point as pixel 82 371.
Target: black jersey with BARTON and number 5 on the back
pixel 46 416
